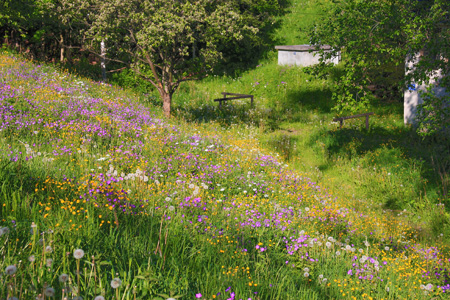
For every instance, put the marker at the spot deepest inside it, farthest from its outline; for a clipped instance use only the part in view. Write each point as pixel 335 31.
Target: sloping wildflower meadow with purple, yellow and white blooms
pixel 102 198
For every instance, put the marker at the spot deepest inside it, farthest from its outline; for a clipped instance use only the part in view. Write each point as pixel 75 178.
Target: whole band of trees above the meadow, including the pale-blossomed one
pixel 163 42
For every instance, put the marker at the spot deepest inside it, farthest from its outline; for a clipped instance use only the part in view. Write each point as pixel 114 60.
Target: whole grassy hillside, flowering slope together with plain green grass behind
pixel 102 196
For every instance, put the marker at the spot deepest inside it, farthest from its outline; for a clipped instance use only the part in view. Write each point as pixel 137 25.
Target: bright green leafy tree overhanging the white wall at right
pixel 375 37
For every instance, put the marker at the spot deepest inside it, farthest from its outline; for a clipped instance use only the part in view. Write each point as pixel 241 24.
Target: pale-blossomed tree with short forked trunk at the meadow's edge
pixel 168 42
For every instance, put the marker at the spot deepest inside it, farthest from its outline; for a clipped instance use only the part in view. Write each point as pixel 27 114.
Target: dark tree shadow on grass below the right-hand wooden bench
pixel 390 149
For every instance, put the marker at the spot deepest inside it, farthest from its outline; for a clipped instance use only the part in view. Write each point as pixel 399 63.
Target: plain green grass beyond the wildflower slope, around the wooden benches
pixel 293 114
